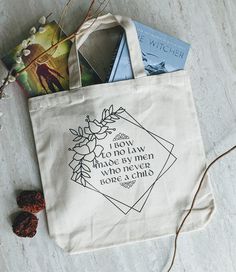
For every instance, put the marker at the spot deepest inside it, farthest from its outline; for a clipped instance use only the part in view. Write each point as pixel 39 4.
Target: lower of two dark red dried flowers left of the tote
pixel 25 224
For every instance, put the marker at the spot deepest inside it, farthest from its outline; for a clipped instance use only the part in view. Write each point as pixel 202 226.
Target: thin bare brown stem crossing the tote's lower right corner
pixel 193 202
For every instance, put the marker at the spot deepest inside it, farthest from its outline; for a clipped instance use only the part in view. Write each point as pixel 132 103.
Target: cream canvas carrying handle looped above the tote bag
pixel 105 22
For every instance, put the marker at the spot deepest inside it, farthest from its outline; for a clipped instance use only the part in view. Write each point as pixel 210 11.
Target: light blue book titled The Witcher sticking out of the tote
pixel 161 53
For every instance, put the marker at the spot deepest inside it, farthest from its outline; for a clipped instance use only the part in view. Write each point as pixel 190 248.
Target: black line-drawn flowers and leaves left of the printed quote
pixel 87 148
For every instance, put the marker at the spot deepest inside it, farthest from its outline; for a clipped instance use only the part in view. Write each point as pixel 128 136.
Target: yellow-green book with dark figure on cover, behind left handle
pixel 50 73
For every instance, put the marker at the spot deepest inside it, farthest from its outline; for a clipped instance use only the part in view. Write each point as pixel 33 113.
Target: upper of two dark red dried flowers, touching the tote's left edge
pixel 31 201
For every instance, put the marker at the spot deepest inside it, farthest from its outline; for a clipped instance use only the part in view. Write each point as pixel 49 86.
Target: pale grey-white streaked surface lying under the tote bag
pixel 210 28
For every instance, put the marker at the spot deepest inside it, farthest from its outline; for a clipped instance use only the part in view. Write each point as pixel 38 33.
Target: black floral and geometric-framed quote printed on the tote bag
pixel 118 158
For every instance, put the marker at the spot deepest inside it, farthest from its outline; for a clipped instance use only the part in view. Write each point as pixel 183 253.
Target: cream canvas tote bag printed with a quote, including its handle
pixel 119 162
